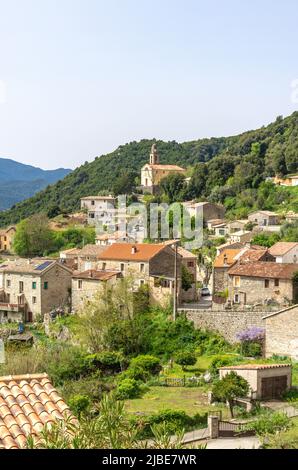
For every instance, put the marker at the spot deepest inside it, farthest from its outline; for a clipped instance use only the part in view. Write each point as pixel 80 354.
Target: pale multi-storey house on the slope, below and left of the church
pixel 99 209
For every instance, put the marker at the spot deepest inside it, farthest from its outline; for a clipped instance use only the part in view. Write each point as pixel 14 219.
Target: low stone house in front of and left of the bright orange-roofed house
pixel 87 284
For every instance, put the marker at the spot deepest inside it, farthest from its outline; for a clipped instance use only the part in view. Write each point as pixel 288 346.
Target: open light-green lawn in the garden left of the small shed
pixel 190 400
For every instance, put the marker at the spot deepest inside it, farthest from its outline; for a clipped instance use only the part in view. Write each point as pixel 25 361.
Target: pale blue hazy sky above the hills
pixel 78 78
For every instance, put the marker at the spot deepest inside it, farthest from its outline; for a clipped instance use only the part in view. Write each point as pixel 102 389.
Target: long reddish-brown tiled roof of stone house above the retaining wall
pixel 264 269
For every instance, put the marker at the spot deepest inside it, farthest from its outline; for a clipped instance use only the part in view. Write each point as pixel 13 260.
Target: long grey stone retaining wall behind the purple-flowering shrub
pixel 227 323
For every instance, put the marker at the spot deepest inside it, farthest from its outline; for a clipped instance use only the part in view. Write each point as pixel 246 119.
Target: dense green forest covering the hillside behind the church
pixel 230 170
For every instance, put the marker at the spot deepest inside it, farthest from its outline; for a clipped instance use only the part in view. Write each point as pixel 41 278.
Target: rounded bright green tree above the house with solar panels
pixel 33 236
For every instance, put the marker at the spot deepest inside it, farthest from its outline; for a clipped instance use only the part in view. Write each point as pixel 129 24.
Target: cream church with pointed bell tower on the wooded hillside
pixel 153 172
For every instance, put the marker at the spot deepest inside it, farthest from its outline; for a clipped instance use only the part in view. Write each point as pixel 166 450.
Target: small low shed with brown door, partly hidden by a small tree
pixel 266 381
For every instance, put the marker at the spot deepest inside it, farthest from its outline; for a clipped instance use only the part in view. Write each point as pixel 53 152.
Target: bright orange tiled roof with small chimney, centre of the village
pixel 131 251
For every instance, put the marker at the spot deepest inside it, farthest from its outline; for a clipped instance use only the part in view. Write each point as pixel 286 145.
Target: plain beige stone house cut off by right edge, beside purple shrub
pixel 282 333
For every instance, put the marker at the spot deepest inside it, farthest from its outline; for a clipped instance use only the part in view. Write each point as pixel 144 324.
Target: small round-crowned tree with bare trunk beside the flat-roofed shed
pixel 230 387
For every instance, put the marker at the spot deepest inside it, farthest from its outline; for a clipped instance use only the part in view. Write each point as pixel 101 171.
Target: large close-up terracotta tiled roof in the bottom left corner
pixel 27 404
